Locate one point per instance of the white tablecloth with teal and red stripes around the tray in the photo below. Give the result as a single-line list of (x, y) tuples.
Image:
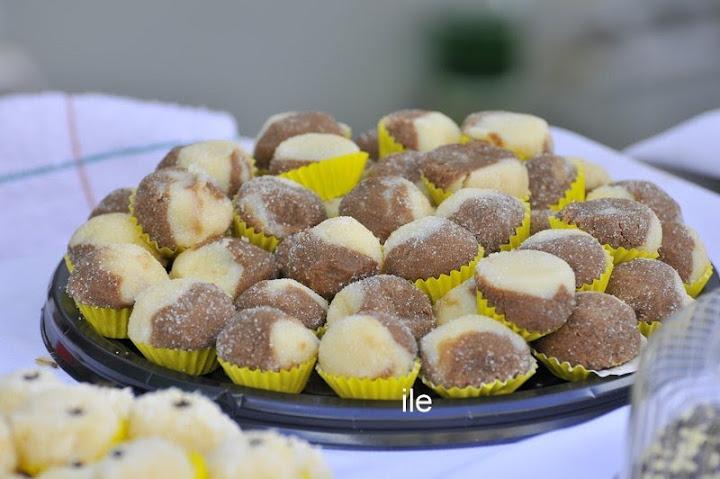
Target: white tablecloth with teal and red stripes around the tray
[(61, 153)]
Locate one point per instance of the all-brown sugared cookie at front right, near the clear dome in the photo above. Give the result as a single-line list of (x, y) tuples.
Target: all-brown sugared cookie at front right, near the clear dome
[(601, 333)]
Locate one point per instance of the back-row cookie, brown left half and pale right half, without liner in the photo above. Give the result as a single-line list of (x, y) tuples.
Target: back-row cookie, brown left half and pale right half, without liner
[(421, 130)]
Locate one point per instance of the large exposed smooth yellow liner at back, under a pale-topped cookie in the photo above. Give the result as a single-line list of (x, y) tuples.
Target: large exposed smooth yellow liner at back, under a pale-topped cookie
[(330, 178)]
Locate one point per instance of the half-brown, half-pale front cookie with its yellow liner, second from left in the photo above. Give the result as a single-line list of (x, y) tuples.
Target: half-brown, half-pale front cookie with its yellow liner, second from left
[(265, 348)]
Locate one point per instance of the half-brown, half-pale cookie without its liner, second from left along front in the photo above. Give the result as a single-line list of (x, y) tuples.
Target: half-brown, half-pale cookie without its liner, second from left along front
[(266, 338)]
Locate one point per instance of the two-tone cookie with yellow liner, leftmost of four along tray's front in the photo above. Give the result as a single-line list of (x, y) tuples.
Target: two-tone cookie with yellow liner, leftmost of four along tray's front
[(175, 323)]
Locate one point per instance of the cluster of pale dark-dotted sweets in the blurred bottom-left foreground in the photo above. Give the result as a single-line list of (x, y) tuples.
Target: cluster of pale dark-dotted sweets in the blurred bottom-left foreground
[(90, 432)]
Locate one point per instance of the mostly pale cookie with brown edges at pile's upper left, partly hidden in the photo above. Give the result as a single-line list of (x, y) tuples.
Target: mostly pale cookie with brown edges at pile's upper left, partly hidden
[(223, 161)]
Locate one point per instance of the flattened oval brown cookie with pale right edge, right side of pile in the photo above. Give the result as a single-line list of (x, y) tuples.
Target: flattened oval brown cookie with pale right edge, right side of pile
[(617, 222)]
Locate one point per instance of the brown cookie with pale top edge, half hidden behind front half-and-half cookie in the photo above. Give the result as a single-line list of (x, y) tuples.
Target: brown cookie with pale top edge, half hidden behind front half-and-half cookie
[(289, 296)]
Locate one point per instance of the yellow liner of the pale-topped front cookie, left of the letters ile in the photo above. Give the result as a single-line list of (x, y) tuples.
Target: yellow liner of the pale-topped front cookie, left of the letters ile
[(364, 388)]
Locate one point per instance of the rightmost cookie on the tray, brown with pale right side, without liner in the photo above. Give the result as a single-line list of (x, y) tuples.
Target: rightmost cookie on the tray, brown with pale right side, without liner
[(683, 249)]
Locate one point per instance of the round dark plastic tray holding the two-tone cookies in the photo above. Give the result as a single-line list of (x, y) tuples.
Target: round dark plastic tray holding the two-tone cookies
[(544, 403)]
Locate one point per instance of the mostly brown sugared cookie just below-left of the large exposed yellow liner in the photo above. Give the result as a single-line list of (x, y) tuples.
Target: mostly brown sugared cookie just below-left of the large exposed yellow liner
[(277, 206)]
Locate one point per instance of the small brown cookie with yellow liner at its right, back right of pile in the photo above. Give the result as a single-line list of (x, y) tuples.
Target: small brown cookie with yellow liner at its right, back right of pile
[(554, 182)]
